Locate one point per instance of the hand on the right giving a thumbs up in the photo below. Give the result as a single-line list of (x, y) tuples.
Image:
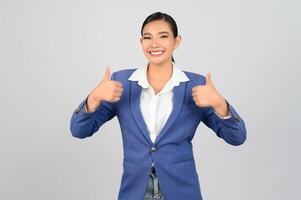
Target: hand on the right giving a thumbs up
[(206, 95)]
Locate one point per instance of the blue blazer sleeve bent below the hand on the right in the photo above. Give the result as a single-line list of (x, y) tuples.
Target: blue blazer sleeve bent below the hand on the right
[(232, 129)]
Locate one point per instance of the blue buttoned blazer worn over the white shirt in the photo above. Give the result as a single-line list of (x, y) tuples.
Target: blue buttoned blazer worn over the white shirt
[(172, 151)]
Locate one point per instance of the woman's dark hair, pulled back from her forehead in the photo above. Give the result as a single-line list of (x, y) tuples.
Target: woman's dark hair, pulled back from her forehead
[(165, 17)]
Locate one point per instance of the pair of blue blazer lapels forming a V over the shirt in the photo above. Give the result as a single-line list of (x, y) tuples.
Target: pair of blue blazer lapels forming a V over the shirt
[(135, 93)]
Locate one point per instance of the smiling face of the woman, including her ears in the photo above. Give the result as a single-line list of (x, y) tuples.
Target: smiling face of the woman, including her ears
[(158, 42)]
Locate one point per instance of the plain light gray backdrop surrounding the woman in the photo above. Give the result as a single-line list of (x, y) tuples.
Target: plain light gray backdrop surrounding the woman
[(53, 53)]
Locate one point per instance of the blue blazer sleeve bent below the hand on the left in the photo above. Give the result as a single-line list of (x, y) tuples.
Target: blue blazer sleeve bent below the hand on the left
[(84, 124)]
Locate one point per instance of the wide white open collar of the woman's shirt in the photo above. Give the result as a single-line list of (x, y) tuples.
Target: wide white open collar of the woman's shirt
[(140, 75)]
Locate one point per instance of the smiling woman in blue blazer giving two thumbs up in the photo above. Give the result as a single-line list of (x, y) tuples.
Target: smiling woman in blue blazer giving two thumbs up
[(158, 107)]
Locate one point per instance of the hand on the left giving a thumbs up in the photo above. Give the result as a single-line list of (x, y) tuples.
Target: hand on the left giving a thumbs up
[(106, 90)]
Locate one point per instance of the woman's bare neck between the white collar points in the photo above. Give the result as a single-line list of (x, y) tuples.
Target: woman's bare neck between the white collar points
[(162, 71)]
